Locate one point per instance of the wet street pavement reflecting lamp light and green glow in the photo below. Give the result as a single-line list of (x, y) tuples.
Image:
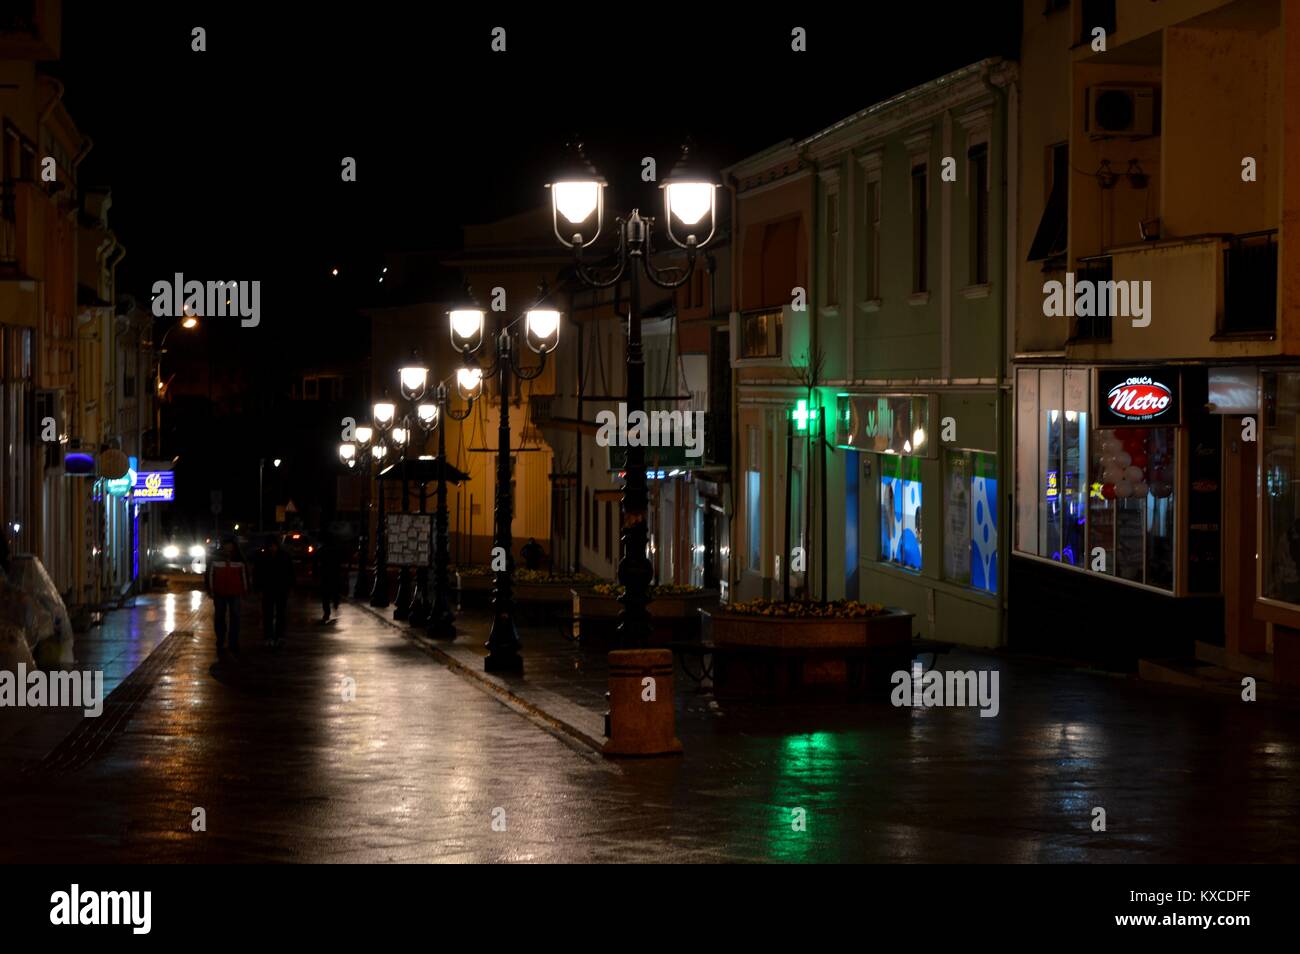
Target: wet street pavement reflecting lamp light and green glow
[(424, 765)]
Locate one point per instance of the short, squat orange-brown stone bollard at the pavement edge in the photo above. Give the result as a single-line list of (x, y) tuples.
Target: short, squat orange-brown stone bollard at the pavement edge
[(642, 715)]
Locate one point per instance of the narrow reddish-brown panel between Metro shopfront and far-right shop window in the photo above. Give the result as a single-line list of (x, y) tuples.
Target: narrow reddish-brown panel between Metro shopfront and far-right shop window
[(1241, 496)]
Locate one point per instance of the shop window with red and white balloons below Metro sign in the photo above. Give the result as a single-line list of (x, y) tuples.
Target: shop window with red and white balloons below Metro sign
[(1132, 508)]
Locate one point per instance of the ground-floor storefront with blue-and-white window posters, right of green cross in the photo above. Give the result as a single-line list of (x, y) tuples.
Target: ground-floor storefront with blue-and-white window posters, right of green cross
[(922, 510)]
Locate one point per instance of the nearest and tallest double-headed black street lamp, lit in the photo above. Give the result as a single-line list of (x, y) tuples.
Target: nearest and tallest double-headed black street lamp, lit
[(691, 219)]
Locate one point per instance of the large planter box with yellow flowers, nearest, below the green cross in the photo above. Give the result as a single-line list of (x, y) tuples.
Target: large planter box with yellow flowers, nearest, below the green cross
[(772, 657)]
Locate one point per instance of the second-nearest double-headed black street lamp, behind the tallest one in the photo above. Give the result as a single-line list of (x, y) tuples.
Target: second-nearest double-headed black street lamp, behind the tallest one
[(541, 332)]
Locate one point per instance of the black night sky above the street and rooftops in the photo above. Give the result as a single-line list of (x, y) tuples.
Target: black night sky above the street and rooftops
[(227, 163)]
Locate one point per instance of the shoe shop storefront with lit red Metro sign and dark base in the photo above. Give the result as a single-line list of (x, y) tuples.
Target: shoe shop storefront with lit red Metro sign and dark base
[(1120, 501)]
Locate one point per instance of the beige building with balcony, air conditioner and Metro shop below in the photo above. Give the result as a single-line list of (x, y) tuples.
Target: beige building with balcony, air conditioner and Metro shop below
[(1158, 335)]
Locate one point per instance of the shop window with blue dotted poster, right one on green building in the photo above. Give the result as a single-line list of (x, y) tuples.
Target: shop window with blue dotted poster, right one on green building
[(970, 519)]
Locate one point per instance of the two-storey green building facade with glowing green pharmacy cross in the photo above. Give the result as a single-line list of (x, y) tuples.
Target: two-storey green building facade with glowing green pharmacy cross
[(870, 358)]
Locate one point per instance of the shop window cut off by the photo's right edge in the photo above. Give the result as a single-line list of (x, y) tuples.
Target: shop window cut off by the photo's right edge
[(1281, 544)]
